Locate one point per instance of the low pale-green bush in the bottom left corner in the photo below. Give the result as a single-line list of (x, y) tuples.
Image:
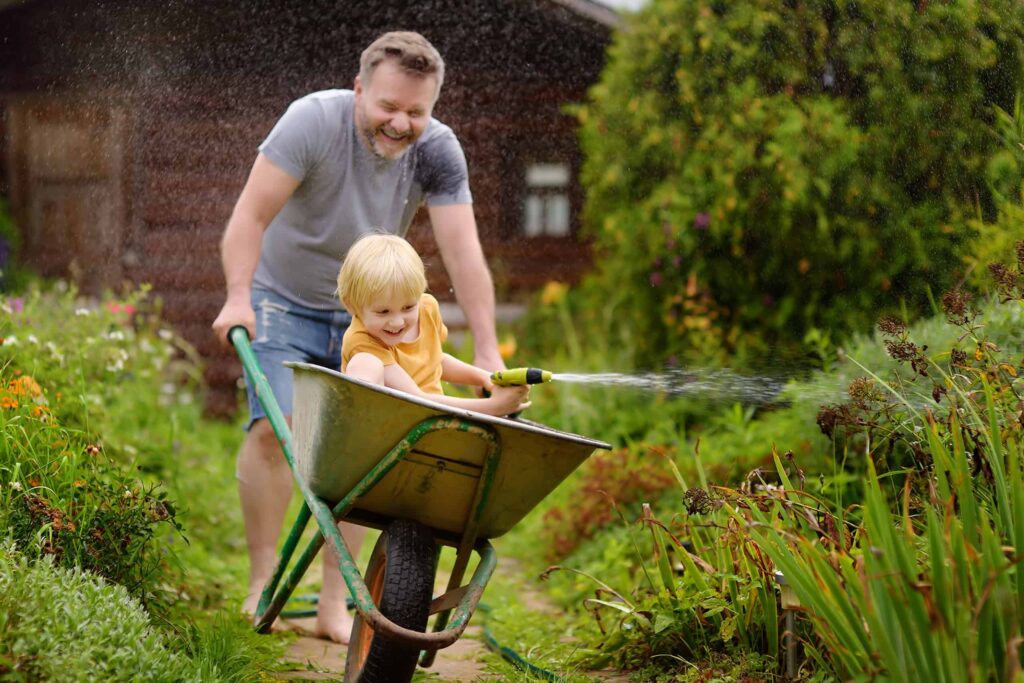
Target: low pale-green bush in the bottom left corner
[(67, 625)]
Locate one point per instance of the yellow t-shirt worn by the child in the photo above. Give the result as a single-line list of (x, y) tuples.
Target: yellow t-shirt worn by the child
[(420, 358)]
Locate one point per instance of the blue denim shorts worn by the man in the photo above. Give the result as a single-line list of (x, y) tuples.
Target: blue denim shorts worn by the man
[(287, 331)]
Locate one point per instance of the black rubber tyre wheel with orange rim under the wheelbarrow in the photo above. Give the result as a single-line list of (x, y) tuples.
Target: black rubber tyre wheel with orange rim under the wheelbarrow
[(401, 581)]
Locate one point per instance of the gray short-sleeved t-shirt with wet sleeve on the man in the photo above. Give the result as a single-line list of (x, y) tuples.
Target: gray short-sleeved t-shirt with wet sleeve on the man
[(346, 192)]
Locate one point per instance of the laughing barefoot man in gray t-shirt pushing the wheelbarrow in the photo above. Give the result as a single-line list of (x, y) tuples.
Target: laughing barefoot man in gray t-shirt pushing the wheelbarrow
[(337, 165)]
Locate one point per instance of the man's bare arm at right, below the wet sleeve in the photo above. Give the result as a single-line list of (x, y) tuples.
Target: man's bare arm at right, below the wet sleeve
[(455, 231)]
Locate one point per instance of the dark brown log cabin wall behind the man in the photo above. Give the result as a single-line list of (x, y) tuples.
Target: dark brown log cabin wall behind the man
[(130, 129)]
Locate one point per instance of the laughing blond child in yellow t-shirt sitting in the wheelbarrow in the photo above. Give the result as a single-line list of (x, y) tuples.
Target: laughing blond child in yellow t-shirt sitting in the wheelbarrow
[(397, 332)]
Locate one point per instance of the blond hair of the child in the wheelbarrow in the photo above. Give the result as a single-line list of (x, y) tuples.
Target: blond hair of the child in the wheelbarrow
[(380, 266)]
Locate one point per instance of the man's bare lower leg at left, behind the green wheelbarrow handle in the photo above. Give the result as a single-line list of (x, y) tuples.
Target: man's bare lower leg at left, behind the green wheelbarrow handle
[(266, 488)]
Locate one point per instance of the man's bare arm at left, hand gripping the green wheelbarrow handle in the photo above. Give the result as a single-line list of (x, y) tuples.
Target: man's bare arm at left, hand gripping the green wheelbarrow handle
[(267, 191)]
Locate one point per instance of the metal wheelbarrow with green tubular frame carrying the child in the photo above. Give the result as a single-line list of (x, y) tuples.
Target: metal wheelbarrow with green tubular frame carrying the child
[(428, 476)]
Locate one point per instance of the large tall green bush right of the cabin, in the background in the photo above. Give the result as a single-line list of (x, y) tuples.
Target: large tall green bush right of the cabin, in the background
[(765, 168)]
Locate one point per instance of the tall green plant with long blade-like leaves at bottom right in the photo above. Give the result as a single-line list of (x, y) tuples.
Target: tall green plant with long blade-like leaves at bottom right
[(931, 589)]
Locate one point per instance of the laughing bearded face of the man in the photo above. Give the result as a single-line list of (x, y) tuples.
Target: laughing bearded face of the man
[(394, 109)]
